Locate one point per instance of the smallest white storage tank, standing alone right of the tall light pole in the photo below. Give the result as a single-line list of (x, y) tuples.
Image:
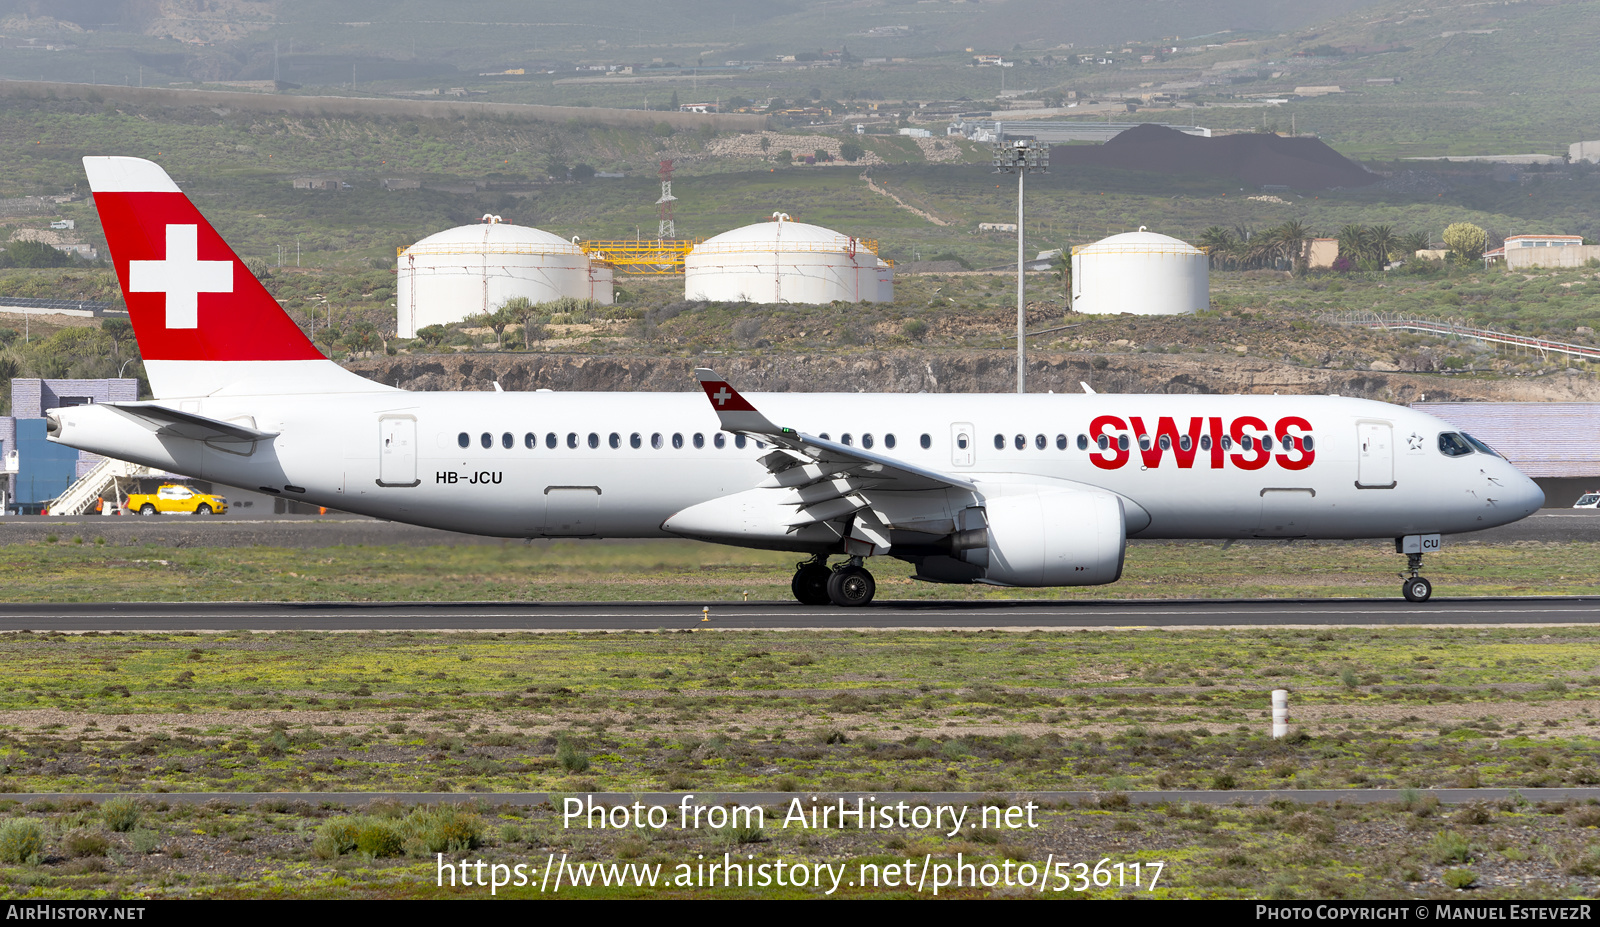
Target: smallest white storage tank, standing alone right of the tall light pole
[(1140, 273)]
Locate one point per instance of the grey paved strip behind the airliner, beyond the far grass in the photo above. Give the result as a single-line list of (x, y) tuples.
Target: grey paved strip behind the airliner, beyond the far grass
[(334, 531)]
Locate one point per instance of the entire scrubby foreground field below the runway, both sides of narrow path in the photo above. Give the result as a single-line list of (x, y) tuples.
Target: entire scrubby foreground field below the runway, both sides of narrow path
[(801, 713)]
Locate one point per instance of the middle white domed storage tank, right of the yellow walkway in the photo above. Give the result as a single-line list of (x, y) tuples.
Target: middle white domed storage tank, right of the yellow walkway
[(783, 262)]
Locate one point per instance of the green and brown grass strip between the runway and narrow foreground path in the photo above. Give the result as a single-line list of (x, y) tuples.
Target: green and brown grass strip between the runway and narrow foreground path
[(794, 712)]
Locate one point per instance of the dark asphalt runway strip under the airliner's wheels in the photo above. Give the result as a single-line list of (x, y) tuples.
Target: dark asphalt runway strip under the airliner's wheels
[(775, 616)]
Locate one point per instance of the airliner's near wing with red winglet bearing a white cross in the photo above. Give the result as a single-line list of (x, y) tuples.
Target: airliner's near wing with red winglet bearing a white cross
[(802, 460)]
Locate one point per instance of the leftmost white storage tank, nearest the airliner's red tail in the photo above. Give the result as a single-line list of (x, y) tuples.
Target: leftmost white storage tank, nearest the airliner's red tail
[(473, 270)]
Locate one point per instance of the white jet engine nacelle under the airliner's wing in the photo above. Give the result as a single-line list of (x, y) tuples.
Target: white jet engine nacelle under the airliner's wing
[(1047, 539)]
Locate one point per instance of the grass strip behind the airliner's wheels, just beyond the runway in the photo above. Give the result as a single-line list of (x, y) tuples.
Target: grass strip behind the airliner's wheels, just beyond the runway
[(84, 569)]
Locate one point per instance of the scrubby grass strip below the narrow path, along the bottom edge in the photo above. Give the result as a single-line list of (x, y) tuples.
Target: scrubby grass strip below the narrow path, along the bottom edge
[(1284, 851)]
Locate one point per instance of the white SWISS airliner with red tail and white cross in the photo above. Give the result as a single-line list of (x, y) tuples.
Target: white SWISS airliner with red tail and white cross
[(1014, 491)]
